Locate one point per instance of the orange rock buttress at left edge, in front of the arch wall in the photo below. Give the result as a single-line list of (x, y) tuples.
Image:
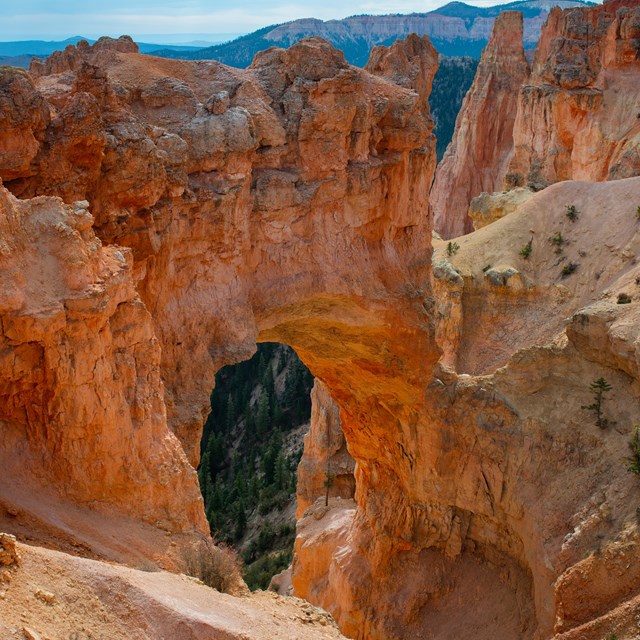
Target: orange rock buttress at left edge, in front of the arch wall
[(80, 389)]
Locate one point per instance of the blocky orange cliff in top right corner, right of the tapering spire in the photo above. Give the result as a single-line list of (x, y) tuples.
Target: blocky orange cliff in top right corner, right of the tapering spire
[(578, 113)]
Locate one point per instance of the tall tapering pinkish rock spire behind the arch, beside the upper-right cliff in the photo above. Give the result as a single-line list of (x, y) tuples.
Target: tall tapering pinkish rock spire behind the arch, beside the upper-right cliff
[(476, 159)]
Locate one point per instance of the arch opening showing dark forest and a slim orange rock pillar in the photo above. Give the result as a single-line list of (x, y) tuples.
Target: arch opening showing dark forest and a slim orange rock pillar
[(253, 479)]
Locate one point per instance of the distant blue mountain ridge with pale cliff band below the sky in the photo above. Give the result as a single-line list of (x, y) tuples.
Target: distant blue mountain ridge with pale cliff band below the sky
[(456, 29)]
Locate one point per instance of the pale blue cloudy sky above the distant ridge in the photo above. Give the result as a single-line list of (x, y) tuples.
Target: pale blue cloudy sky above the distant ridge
[(25, 19)]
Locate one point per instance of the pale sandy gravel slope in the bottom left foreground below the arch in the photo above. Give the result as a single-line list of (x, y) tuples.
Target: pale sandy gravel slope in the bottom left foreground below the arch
[(90, 599)]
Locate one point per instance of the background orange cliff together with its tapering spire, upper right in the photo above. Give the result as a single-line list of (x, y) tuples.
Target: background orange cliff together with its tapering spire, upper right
[(575, 116)]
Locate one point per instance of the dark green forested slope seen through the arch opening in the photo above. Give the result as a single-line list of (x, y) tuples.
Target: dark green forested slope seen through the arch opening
[(251, 447)]
